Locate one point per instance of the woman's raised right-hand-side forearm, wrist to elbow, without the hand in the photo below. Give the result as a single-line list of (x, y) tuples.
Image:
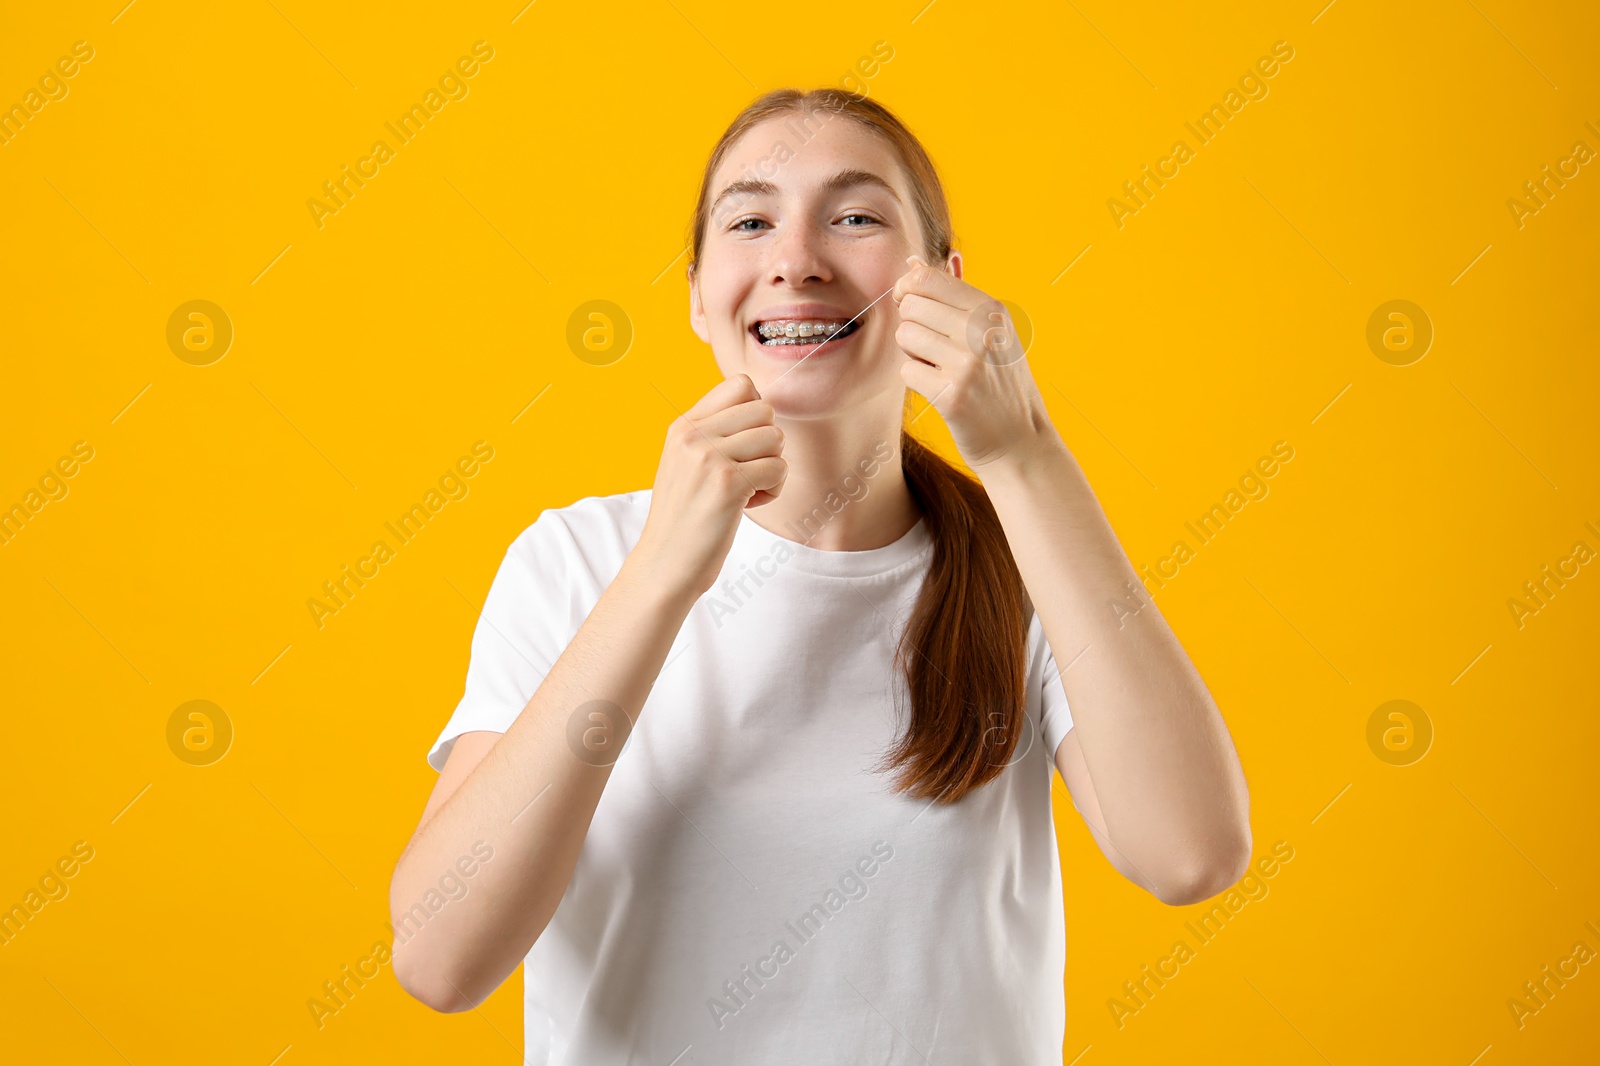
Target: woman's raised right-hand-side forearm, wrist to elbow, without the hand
[(1164, 766)]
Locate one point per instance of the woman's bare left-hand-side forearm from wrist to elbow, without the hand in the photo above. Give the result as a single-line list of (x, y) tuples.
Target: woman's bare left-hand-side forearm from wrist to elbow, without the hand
[(532, 799)]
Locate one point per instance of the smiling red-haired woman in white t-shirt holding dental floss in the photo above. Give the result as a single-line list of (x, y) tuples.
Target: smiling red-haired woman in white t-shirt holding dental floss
[(754, 766)]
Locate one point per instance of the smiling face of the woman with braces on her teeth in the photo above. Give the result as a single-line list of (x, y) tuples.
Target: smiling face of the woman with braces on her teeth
[(807, 233)]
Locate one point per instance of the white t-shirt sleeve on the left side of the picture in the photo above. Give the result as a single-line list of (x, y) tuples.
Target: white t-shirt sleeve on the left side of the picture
[(521, 633)]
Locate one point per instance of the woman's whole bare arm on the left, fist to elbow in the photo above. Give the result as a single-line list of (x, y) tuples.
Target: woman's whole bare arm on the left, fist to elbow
[(719, 459)]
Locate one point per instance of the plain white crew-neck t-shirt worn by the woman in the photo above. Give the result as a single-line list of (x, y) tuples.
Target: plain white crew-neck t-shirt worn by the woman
[(750, 892)]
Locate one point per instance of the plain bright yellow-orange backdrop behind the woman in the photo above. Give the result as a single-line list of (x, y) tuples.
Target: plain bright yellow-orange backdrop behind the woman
[(370, 353)]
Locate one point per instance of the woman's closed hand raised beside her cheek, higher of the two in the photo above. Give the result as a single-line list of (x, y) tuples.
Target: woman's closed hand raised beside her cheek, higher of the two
[(964, 356)]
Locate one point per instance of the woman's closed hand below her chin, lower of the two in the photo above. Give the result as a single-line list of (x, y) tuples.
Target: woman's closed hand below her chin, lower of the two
[(721, 457)]
